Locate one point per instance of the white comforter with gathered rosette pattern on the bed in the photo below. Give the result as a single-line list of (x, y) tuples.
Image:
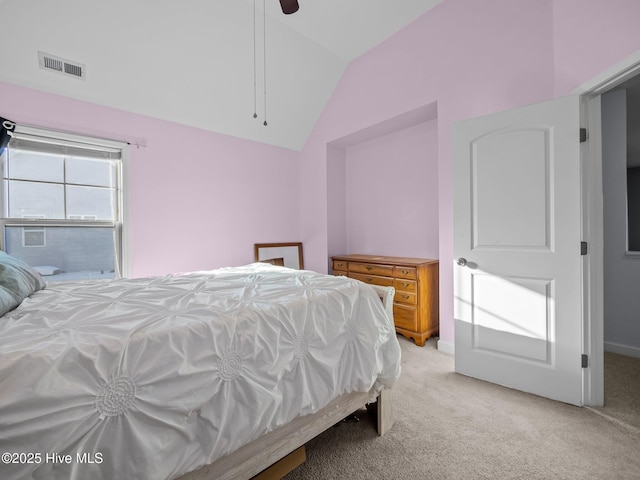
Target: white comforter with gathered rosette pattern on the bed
[(151, 378)]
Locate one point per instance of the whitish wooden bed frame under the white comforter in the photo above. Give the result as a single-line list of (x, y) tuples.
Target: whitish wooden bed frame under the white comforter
[(263, 452)]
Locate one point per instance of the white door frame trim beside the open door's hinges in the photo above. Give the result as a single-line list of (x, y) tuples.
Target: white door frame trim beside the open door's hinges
[(592, 222)]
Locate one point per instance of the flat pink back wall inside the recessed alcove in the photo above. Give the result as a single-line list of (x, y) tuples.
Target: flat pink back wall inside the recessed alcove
[(389, 211)]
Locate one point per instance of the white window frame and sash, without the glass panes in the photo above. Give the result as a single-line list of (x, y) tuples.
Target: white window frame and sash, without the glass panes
[(120, 222)]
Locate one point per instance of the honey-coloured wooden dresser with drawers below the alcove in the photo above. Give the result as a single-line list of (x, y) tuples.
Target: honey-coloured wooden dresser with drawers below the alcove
[(415, 306)]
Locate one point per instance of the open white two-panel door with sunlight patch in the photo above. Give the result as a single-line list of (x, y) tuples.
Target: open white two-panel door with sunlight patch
[(517, 211)]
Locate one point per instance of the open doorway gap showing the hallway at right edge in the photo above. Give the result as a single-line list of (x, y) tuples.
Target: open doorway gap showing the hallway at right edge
[(621, 184)]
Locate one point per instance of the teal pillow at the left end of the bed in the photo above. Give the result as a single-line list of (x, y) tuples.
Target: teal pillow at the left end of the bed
[(17, 281)]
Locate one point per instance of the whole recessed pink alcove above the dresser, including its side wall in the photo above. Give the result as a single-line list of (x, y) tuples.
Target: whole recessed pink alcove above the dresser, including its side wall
[(382, 186)]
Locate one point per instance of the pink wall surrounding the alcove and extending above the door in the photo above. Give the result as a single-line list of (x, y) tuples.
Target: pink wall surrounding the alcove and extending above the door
[(470, 58)]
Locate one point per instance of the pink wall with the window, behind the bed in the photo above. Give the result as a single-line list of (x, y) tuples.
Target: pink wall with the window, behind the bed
[(198, 200)]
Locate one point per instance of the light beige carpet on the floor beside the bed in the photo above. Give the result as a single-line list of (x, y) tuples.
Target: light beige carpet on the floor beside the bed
[(448, 426)]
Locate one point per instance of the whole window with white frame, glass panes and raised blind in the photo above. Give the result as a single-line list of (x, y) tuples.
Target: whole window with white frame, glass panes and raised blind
[(62, 204)]
